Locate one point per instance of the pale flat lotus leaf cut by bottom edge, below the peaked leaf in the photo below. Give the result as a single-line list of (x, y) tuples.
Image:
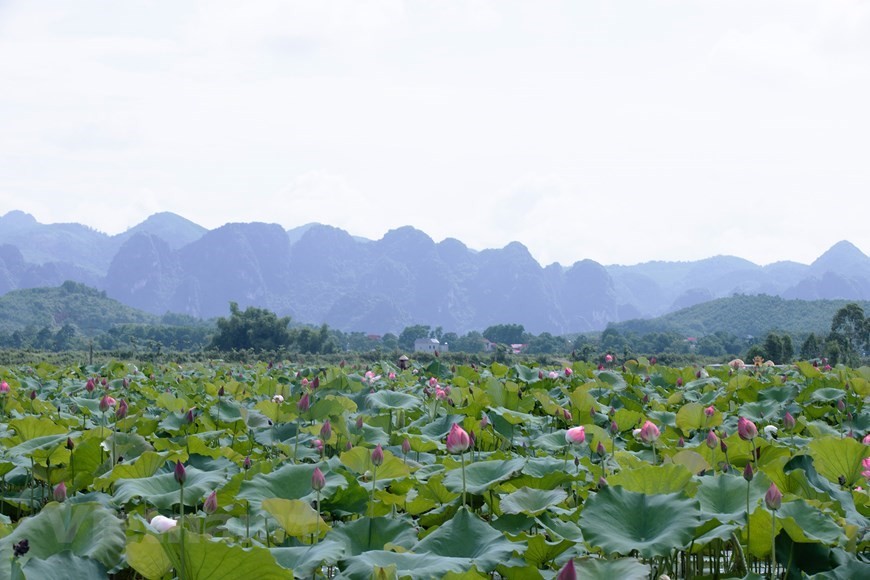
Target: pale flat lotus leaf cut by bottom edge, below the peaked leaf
[(402, 565)]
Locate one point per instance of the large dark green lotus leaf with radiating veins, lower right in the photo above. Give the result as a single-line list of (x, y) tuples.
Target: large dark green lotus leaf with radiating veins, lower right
[(619, 521)]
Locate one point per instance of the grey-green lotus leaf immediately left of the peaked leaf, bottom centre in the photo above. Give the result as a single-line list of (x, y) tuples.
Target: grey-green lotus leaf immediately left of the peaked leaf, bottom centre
[(365, 534)]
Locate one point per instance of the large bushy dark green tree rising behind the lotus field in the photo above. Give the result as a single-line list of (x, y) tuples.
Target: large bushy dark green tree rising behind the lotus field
[(254, 328)]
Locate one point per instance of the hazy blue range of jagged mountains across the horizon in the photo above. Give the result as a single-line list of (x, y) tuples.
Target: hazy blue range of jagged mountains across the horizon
[(318, 273)]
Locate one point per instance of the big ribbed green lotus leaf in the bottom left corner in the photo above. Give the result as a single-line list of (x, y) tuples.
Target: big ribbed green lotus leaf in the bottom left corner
[(87, 530)]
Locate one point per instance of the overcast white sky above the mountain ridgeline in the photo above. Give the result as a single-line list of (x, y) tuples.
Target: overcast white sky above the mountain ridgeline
[(617, 131)]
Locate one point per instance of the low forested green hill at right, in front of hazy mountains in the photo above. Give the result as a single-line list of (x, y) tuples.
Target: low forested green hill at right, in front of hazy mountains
[(743, 316)]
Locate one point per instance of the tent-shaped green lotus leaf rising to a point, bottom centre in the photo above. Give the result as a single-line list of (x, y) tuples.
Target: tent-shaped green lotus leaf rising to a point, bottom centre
[(467, 536)]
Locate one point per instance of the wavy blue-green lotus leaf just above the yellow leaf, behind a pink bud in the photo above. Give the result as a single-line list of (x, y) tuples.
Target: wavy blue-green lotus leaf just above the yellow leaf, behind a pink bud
[(291, 481)]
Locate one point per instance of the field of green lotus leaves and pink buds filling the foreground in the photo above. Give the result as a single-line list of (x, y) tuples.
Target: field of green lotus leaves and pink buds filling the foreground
[(221, 471)]
